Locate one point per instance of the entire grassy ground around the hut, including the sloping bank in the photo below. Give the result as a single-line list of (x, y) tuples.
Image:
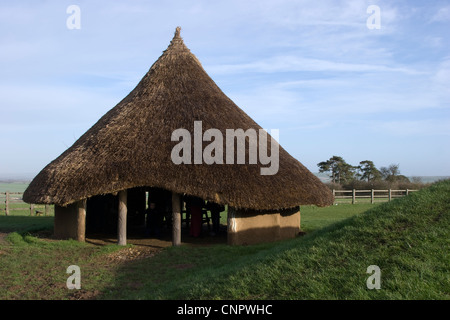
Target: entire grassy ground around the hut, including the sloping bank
[(407, 238)]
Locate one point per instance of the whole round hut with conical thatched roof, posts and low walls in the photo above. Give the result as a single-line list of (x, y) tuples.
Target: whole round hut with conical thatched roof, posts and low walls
[(129, 149)]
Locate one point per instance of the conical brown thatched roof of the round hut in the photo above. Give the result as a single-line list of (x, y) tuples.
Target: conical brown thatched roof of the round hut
[(131, 146)]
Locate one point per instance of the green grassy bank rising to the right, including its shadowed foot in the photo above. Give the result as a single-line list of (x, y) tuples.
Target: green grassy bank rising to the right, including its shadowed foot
[(408, 239)]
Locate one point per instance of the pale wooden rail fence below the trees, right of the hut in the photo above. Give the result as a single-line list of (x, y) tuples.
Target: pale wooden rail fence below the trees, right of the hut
[(374, 195)]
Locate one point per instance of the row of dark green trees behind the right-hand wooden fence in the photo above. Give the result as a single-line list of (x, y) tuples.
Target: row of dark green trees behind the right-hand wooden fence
[(365, 175)]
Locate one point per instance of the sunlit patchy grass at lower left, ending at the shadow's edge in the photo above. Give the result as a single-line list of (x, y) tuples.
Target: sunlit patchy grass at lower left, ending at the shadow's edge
[(34, 269)]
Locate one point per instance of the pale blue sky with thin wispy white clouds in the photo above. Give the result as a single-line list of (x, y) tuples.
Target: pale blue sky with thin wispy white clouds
[(312, 69)]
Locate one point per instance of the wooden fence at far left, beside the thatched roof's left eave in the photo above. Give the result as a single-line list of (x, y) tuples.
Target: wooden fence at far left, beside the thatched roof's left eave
[(13, 202)]
